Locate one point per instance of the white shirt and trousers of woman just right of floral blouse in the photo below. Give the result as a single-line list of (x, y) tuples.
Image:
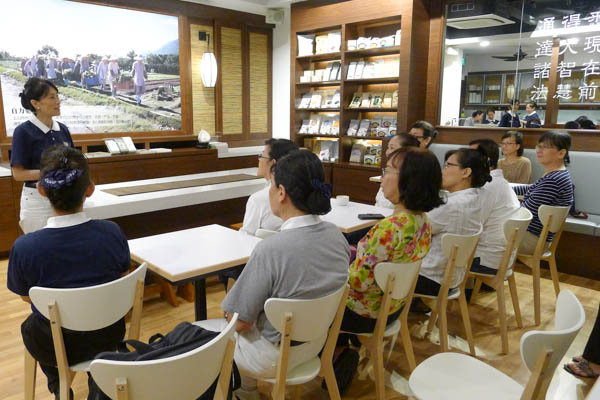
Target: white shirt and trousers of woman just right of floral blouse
[(460, 215)]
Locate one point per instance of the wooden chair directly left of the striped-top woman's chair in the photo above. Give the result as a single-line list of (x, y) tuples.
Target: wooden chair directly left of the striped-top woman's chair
[(514, 231)]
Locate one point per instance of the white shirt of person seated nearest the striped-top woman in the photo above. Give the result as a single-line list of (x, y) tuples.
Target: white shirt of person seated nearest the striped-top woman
[(498, 204)]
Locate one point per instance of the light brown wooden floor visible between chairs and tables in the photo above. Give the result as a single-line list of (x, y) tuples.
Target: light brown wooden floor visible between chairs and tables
[(158, 316)]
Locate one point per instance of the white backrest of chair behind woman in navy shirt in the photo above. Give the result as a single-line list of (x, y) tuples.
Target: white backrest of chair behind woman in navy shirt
[(93, 307)]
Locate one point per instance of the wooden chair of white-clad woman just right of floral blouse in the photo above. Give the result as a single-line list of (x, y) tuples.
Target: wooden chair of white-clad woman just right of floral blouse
[(460, 250)]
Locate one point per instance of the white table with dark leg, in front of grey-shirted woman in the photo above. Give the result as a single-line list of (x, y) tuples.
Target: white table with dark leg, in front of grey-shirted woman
[(192, 255)]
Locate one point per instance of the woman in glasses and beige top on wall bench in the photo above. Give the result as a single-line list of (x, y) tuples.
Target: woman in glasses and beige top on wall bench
[(516, 168)]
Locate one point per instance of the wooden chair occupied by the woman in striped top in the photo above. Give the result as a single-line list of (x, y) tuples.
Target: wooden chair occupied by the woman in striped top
[(553, 220)]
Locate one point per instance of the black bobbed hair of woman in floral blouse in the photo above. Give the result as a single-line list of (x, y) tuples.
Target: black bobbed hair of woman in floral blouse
[(419, 179)]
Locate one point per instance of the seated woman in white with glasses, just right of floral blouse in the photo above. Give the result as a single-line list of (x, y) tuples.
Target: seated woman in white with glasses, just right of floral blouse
[(465, 171)]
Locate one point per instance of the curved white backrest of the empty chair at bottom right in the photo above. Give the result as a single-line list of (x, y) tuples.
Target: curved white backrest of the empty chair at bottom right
[(569, 318)]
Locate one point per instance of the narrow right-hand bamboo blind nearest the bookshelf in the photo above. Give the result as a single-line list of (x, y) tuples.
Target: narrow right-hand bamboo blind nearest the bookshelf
[(259, 82)]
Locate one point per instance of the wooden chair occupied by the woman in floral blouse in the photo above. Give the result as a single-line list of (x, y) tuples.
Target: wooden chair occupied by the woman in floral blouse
[(398, 281)]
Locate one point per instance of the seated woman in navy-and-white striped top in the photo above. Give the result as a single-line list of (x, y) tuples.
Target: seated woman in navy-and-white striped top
[(554, 188)]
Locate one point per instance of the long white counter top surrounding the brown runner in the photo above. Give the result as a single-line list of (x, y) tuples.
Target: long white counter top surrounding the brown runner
[(104, 206)]
